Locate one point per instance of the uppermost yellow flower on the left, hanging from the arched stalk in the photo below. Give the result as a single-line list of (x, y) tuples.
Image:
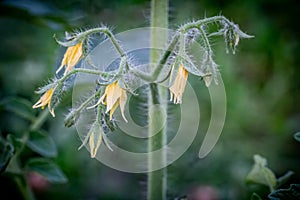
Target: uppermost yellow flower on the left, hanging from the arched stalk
[(71, 58)]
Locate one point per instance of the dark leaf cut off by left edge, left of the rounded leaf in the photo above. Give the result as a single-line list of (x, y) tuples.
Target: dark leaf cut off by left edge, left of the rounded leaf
[(6, 153)]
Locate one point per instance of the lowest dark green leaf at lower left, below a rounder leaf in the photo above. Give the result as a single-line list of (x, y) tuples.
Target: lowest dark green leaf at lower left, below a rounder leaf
[(46, 168)]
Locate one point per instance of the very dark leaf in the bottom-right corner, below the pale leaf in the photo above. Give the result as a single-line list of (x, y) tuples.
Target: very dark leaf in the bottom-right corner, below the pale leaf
[(292, 193)]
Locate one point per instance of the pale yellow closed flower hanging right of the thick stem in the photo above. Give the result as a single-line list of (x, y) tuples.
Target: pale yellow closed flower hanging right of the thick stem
[(177, 89)]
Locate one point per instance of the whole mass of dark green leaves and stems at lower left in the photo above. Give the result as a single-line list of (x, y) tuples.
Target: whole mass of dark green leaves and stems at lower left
[(13, 158)]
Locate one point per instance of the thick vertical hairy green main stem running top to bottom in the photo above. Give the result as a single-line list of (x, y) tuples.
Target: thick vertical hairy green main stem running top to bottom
[(157, 180)]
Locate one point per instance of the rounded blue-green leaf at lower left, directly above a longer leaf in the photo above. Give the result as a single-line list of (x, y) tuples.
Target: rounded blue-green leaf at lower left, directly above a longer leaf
[(41, 143)]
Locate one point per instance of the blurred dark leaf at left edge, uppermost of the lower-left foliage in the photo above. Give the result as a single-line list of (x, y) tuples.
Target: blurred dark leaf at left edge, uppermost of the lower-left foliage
[(21, 107)]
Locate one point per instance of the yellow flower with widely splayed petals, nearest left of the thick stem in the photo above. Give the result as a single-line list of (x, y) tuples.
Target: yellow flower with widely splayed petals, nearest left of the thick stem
[(113, 97)]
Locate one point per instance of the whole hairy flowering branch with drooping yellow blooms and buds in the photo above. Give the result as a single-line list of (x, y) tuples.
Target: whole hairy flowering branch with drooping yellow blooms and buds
[(114, 85)]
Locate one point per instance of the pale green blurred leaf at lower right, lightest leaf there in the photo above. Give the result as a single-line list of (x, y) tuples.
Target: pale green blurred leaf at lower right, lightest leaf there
[(261, 174)]
